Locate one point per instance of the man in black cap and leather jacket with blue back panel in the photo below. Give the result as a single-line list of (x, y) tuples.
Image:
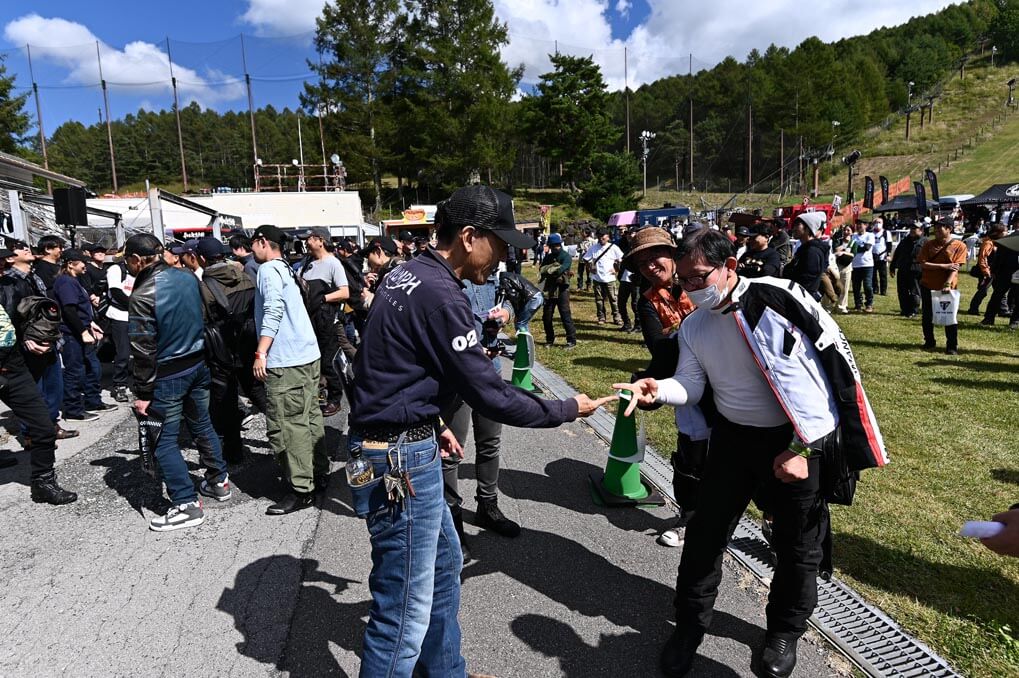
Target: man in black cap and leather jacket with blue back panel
[(172, 378)]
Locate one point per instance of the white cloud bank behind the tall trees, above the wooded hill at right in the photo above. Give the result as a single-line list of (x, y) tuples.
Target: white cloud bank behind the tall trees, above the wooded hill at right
[(661, 46)]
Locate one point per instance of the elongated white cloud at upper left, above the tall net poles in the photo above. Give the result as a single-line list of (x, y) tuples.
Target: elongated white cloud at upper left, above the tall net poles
[(143, 67)]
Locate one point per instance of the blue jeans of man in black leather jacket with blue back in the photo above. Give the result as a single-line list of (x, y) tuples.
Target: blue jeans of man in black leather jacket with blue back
[(187, 394)]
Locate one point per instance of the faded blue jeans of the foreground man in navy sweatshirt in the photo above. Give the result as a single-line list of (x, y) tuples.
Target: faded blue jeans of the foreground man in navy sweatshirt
[(416, 564)]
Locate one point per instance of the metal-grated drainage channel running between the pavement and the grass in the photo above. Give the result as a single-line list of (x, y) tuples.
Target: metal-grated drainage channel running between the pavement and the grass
[(864, 634)]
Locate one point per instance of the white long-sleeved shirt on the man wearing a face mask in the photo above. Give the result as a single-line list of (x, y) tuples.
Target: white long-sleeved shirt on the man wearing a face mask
[(713, 349)]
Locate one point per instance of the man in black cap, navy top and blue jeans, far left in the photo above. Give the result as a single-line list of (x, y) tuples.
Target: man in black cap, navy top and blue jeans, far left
[(82, 401)]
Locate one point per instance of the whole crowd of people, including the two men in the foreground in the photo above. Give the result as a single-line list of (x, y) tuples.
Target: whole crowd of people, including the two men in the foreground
[(408, 333)]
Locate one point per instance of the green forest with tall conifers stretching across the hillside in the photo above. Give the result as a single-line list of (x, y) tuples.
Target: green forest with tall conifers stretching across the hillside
[(416, 90)]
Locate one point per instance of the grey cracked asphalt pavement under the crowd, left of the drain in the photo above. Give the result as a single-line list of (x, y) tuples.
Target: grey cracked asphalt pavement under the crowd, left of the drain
[(583, 592)]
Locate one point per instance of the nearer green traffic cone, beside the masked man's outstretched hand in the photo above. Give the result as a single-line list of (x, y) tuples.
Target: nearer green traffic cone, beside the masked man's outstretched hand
[(622, 485)]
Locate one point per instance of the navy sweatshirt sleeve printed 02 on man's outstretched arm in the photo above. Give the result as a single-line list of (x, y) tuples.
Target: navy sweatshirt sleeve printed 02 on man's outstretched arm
[(455, 353)]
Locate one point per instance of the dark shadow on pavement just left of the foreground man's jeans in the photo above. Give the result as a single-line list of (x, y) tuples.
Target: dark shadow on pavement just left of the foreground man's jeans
[(295, 639)]
